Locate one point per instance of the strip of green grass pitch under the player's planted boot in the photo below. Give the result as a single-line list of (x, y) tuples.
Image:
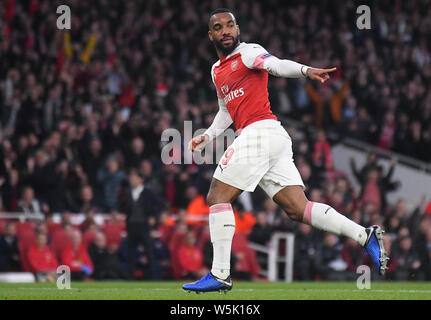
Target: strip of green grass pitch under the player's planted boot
[(241, 291)]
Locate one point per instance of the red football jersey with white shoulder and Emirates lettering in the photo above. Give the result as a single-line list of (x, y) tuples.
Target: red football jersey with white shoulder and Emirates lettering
[(242, 83)]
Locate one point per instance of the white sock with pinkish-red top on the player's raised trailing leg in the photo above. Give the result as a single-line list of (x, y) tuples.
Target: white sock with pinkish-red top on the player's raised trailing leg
[(326, 218)]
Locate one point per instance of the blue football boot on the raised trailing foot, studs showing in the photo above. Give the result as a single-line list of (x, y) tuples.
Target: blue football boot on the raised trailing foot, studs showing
[(374, 247)]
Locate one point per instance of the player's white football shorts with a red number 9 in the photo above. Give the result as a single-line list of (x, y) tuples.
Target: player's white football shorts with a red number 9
[(260, 155)]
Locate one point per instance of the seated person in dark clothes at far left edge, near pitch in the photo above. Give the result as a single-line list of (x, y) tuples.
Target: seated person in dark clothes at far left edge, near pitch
[(9, 254)]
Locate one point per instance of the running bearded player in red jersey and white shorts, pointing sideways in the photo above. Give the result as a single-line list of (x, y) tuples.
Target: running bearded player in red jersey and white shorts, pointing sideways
[(262, 153)]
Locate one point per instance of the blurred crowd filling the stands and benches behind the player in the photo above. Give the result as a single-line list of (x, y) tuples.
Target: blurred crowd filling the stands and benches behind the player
[(82, 112)]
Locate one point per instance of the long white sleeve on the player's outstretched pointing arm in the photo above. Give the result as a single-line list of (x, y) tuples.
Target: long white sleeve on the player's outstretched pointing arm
[(256, 57)]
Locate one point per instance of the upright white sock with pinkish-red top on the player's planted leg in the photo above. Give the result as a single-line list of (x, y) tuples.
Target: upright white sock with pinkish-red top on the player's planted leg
[(222, 229)]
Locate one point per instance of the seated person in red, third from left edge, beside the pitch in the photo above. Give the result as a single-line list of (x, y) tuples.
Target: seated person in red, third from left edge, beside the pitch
[(76, 257)]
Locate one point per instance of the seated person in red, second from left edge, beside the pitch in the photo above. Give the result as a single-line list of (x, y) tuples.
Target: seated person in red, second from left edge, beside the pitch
[(42, 260)]
